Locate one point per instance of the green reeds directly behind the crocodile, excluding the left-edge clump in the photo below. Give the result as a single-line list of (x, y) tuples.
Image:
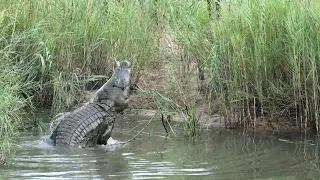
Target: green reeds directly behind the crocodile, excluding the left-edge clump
[(68, 39)]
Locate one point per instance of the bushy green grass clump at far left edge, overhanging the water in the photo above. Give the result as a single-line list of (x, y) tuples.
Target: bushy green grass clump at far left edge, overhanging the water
[(11, 88)]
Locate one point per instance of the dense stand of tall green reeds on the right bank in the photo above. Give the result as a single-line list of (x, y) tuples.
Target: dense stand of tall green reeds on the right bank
[(265, 56)]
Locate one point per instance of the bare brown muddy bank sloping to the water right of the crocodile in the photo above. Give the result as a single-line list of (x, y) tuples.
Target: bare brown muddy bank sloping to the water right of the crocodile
[(206, 112)]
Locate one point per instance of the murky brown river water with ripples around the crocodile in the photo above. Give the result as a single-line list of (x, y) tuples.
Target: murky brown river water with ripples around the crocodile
[(214, 155)]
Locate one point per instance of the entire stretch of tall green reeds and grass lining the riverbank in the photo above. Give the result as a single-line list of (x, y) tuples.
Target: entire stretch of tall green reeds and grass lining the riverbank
[(255, 59)]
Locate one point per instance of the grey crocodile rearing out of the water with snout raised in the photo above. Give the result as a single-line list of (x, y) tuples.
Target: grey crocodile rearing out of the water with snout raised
[(92, 123)]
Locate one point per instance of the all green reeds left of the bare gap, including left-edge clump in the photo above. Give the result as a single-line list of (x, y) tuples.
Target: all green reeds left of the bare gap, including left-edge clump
[(52, 49)]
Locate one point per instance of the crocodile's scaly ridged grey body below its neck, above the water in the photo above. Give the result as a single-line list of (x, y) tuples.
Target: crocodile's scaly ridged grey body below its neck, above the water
[(82, 127)]
